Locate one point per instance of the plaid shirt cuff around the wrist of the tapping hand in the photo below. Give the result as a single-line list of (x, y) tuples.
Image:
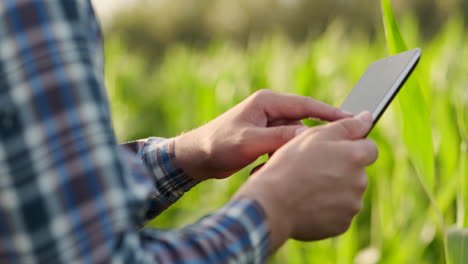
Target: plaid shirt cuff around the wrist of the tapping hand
[(171, 180)]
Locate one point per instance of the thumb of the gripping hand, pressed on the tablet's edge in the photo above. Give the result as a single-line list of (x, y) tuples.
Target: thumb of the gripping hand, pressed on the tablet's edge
[(351, 128)]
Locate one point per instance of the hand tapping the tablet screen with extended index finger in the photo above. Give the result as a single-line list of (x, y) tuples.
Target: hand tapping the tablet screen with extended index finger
[(261, 124)]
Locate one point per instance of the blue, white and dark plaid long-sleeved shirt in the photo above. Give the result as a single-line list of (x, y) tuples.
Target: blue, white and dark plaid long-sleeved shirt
[(68, 192)]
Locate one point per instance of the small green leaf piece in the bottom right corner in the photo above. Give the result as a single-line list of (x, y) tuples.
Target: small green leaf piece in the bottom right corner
[(457, 242)]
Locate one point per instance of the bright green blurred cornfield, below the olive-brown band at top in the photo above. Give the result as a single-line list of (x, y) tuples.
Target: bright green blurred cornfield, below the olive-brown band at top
[(422, 137)]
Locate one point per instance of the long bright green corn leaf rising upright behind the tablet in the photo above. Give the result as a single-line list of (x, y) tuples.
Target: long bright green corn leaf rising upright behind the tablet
[(417, 132)]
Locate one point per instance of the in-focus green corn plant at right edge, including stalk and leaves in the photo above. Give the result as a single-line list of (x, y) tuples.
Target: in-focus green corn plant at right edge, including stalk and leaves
[(418, 138)]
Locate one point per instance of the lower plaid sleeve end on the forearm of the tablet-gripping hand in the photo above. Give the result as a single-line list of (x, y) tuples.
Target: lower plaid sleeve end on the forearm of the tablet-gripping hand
[(236, 233)]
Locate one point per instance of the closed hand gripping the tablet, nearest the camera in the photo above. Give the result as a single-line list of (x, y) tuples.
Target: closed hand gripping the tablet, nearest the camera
[(312, 187)]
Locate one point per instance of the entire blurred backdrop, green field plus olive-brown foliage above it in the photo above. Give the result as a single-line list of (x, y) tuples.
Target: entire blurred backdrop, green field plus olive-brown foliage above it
[(173, 65)]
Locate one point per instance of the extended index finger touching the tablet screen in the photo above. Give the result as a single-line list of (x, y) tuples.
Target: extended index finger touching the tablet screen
[(295, 107)]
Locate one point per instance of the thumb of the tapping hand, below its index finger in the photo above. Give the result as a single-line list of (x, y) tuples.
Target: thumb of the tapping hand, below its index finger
[(269, 139)]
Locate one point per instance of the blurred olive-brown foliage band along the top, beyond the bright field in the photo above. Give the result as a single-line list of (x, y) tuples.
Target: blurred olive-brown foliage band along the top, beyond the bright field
[(151, 26)]
